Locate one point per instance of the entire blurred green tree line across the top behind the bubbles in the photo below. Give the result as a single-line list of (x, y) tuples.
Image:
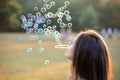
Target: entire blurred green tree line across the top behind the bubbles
[(94, 14)]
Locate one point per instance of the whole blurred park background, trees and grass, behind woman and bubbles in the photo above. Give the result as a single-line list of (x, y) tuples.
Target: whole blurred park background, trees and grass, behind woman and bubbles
[(21, 58)]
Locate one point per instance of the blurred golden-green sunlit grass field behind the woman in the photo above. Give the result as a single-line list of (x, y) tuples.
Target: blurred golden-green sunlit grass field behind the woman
[(17, 64)]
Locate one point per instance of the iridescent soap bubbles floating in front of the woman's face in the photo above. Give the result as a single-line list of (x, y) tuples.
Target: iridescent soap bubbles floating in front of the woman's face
[(41, 22)]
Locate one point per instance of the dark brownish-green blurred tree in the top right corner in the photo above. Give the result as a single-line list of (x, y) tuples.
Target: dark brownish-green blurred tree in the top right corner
[(110, 14)]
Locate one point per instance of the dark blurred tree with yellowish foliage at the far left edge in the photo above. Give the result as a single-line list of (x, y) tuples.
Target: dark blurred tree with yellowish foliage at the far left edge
[(9, 10)]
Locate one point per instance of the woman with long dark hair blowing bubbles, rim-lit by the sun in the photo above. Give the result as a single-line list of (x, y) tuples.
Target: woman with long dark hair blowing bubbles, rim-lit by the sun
[(90, 57)]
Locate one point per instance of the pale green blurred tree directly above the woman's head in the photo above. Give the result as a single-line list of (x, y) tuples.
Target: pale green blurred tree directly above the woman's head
[(88, 18)]
